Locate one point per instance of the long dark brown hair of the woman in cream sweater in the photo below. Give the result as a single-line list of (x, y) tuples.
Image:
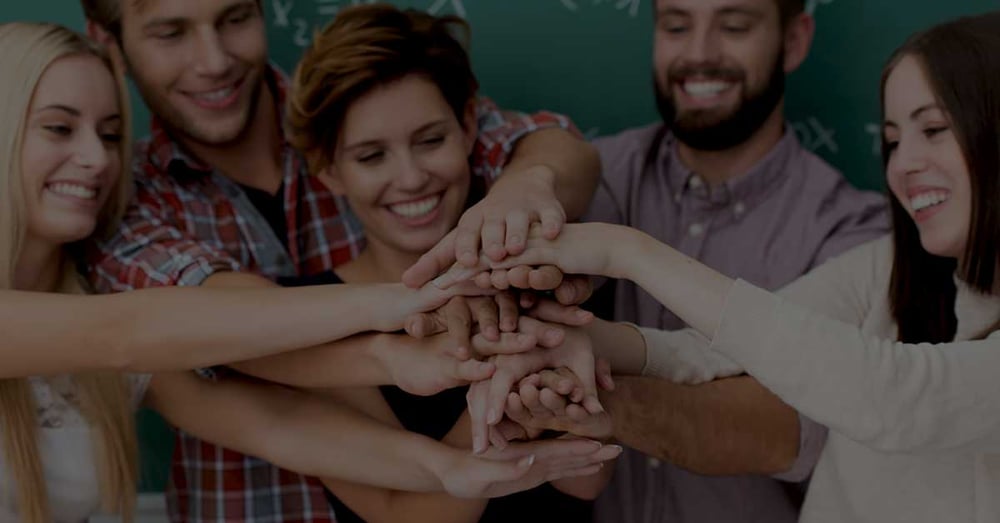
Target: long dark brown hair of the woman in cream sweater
[(961, 60)]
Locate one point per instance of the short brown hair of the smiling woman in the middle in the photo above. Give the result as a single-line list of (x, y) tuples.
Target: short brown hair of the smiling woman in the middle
[(364, 47)]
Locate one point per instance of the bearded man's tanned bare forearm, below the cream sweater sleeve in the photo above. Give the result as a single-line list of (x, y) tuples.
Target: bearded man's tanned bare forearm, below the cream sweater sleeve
[(725, 427)]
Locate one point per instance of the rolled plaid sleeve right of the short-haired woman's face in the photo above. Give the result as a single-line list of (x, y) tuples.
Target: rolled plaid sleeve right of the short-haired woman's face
[(499, 132)]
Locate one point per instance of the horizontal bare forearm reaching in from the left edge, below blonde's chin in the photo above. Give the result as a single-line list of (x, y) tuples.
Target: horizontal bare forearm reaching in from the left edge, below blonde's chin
[(171, 328)]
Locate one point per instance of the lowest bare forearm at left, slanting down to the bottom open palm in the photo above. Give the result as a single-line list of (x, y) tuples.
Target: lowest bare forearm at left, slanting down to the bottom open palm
[(299, 431)]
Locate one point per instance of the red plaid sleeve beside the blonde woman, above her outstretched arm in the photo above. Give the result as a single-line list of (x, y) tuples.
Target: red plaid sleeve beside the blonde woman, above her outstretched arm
[(150, 249)]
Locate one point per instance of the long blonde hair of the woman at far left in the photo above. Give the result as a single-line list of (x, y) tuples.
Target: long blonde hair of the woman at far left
[(27, 50)]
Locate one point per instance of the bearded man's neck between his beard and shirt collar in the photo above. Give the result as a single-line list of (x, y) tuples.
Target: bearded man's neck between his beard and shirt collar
[(718, 167)]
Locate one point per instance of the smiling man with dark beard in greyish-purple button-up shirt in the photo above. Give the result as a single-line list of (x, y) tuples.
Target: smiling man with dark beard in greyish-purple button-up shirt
[(723, 179)]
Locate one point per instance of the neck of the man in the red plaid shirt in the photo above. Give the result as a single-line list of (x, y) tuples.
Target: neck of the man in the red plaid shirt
[(254, 158)]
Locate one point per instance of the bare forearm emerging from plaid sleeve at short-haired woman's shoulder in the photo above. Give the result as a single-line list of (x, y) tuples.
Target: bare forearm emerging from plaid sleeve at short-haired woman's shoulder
[(574, 164)]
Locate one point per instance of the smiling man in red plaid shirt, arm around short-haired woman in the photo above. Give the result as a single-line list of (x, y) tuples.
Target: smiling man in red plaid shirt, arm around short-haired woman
[(222, 200)]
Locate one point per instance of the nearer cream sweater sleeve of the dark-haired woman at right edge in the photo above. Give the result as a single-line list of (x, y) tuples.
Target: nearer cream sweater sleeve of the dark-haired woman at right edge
[(890, 396)]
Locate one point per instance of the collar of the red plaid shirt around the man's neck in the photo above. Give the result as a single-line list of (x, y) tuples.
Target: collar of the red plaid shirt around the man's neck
[(167, 154)]
